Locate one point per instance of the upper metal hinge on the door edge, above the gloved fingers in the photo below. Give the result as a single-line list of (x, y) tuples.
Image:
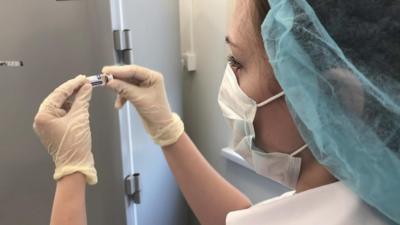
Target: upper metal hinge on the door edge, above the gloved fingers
[(123, 46)]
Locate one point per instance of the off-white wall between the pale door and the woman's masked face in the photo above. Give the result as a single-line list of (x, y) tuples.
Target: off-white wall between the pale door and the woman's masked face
[(202, 116)]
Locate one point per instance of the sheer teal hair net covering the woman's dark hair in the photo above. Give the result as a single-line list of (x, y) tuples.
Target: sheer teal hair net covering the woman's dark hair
[(348, 113)]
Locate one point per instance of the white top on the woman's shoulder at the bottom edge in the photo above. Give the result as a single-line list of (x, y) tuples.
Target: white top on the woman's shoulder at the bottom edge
[(332, 204)]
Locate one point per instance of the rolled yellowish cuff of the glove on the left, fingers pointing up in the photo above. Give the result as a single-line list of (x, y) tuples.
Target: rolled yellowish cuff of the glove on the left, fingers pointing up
[(90, 173)]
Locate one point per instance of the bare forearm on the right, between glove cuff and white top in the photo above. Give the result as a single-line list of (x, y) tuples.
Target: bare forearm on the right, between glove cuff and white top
[(209, 195)]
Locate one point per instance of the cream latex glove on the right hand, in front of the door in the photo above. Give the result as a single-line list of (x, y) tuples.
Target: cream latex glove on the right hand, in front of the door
[(144, 88)]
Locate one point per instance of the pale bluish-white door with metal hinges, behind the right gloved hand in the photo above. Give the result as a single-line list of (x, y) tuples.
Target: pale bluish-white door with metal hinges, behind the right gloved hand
[(155, 39)]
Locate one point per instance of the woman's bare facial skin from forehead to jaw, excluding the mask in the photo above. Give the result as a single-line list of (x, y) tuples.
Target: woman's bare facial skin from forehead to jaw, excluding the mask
[(274, 127)]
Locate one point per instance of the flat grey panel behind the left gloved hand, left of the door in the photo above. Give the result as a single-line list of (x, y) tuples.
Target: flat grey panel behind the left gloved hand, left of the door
[(56, 41)]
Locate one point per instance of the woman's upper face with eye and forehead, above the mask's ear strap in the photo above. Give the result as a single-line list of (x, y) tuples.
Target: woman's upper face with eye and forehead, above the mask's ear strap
[(248, 58)]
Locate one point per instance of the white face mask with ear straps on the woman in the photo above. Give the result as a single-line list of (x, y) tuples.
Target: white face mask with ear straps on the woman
[(240, 111)]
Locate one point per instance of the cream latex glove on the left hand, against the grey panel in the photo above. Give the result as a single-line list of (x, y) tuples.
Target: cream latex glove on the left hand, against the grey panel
[(63, 128)]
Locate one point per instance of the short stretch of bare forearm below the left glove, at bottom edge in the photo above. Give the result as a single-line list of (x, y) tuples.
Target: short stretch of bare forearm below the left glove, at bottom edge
[(69, 206)]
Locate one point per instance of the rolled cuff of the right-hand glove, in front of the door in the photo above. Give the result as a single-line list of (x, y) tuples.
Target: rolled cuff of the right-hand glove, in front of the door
[(170, 133)]
